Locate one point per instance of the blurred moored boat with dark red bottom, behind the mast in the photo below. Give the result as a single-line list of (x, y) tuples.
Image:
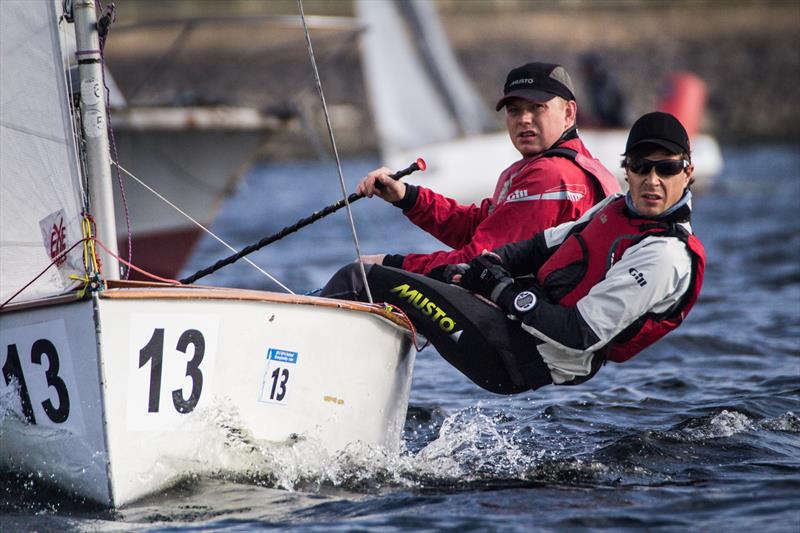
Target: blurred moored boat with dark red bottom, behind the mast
[(192, 147)]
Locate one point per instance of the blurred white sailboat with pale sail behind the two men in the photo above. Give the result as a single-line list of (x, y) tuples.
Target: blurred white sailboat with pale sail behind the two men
[(424, 105)]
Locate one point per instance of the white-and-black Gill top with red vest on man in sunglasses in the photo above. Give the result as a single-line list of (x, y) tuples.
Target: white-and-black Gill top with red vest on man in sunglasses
[(610, 284)]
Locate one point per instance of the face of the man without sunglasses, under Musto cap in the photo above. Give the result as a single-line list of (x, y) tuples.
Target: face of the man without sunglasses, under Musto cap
[(535, 126)]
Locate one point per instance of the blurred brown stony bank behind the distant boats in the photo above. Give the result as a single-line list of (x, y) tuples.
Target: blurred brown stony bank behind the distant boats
[(243, 52)]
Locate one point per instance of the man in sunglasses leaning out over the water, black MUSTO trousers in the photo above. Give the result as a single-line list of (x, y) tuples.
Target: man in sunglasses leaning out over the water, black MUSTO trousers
[(555, 308)]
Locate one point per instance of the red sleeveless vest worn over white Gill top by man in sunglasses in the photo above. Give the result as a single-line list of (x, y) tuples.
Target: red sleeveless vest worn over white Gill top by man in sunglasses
[(584, 258)]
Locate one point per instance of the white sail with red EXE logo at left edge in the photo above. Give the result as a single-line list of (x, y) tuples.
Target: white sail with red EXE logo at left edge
[(39, 185)]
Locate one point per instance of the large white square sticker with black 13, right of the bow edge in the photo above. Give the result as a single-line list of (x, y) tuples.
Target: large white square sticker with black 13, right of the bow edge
[(170, 363)]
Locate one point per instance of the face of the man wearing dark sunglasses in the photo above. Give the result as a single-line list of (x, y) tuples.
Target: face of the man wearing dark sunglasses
[(653, 193)]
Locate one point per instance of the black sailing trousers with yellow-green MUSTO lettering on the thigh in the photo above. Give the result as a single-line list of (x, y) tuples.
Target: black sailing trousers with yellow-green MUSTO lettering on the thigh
[(475, 337)]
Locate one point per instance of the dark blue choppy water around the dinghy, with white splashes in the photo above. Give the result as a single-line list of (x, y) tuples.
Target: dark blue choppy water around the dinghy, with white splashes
[(699, 432)]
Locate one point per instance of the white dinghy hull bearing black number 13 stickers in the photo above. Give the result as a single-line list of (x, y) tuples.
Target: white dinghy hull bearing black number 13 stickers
[(148, 397)]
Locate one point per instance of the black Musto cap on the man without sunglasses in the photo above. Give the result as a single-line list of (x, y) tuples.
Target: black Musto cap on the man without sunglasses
[(537, 82)]
